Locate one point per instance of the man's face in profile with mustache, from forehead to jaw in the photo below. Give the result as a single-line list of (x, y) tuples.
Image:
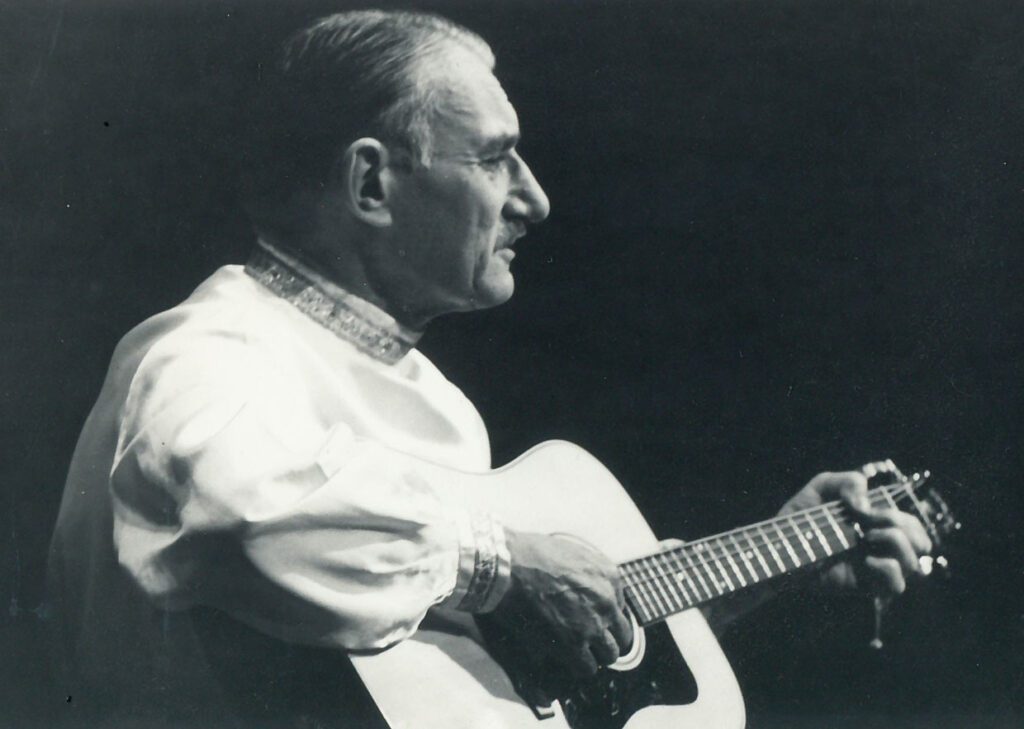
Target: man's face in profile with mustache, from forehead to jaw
[(456, 220)]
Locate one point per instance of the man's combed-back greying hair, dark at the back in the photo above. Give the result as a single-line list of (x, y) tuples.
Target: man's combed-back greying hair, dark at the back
[(348, 76)]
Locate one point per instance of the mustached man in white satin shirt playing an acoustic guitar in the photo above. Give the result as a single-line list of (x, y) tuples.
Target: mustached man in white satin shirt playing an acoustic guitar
[(247, 500)]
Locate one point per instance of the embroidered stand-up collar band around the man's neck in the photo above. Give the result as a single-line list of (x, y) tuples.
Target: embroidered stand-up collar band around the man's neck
[(370, 329)]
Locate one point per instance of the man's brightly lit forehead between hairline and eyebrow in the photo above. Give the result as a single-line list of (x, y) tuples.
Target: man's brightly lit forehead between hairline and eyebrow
[(472, 109)]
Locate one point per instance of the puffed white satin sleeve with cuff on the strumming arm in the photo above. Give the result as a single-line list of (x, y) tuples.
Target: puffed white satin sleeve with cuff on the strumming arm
[(229, 493)]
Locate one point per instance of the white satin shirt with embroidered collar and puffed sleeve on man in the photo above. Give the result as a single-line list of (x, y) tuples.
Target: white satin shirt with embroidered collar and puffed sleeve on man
[(254, 450)]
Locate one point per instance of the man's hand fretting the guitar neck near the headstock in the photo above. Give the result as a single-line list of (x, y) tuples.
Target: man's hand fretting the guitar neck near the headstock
[(894, 540)]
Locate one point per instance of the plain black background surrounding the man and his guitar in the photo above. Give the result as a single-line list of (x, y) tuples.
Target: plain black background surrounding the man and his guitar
[(786, 238)]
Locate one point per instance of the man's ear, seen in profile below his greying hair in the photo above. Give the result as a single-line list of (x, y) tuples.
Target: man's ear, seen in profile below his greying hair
[(365, 180)]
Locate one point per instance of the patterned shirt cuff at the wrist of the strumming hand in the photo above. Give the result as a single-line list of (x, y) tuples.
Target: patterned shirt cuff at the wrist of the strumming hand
[(485, 566)]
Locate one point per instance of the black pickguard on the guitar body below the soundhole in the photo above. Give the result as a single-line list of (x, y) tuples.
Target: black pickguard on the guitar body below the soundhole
[(612, 698)]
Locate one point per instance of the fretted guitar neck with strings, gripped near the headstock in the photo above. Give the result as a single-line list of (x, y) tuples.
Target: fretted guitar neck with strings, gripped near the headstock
[(666, 583)]
